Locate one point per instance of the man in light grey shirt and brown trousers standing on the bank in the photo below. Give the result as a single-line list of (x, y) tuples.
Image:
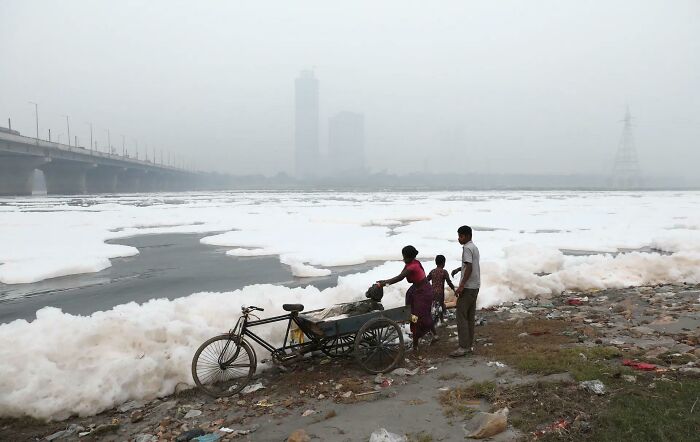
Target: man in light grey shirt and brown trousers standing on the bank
[(467, 291)]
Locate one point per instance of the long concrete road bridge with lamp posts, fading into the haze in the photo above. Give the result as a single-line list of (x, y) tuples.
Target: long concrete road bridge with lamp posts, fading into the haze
[(75, 170)]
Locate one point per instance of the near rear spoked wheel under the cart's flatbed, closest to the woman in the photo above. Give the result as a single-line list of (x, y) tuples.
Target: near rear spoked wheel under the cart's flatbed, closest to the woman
[(379, 345)]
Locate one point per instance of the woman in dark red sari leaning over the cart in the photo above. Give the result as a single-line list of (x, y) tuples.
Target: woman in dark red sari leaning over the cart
[(419, 296)]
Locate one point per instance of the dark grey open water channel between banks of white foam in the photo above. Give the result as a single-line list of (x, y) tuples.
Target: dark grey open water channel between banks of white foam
[(167, 266)]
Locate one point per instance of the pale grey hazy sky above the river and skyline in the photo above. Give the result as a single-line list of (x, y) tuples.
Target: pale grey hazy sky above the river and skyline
[(495, 86)]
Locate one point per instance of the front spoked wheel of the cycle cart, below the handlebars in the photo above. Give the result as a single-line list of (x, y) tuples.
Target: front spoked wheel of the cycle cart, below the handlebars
[(223, 365)]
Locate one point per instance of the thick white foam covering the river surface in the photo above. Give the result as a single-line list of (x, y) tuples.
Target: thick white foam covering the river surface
[(60, 364)]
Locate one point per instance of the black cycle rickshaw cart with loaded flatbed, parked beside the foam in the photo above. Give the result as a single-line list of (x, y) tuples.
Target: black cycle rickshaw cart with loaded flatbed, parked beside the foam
[(225, 364)]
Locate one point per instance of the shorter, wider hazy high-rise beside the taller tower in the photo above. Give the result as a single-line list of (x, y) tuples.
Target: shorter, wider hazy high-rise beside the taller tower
[(346, 144)]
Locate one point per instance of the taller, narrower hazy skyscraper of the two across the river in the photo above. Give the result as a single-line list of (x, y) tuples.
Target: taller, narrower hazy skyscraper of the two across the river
[(306, 125)]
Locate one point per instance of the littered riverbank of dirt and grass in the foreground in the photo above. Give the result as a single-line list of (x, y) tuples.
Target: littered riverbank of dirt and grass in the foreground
[(530, 356)]
